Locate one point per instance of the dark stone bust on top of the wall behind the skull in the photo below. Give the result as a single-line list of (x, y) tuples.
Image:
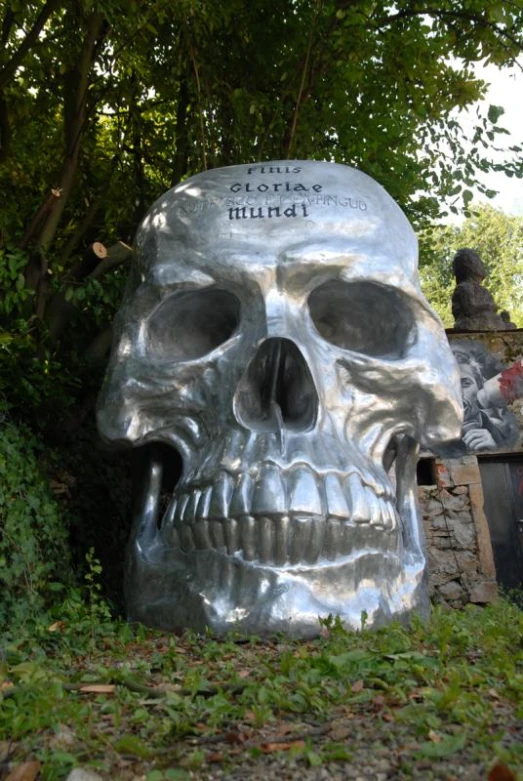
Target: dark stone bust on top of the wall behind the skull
[(473, 306)]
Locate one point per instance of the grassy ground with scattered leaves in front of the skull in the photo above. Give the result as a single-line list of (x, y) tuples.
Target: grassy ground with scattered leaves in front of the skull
[(435, 700)]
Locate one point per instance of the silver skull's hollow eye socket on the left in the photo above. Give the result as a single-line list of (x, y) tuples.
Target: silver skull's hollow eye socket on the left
[(190, 324)]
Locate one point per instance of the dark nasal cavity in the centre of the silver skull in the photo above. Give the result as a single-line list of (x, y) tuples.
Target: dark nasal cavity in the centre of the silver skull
[(277, 390)]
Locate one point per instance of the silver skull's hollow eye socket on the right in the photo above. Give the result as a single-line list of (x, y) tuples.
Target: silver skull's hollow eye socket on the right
[(363, 317)]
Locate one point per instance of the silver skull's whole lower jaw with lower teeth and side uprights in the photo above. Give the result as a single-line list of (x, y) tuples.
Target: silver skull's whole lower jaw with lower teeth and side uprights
[(279, 572)]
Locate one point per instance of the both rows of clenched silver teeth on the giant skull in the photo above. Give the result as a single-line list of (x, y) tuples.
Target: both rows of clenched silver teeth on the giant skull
[(284, 520)]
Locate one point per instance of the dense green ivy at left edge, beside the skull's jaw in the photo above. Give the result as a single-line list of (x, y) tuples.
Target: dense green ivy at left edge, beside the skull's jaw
[(34, 554)]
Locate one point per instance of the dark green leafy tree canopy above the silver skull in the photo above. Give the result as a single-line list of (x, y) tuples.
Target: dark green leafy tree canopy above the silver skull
[(110, 103)]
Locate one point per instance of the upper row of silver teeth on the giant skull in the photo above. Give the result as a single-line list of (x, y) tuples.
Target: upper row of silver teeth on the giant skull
[(272, 493)]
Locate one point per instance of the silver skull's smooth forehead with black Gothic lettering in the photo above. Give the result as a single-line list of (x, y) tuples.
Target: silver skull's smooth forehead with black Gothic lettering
[(289, 217)]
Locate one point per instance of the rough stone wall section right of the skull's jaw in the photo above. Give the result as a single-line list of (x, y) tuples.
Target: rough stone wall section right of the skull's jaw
[(461, 563)]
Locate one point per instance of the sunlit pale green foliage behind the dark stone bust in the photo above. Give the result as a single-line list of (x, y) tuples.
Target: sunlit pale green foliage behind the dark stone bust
[(498, 239)]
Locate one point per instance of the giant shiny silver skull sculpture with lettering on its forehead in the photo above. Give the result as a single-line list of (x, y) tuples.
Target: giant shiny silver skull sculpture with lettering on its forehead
[(274, 333)]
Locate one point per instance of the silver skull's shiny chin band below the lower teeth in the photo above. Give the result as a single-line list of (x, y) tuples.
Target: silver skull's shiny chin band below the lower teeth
[(214, 591)]
